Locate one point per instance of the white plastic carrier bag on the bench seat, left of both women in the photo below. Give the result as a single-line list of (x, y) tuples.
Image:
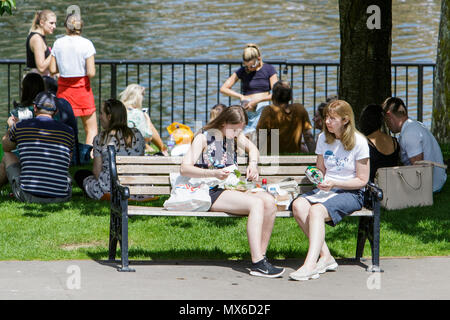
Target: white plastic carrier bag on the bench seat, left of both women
[(186, 197)]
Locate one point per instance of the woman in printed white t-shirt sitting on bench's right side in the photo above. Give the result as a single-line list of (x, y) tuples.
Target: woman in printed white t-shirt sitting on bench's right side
[(343, 157)]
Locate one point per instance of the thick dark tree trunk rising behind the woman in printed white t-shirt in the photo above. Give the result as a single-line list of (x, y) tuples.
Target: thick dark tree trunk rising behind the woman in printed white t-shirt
[(365, 62)]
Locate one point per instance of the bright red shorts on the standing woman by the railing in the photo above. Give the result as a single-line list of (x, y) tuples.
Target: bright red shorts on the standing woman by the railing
[(78, 92)]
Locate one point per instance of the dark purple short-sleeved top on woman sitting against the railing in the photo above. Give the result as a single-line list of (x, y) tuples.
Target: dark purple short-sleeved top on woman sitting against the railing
[(256, 81)]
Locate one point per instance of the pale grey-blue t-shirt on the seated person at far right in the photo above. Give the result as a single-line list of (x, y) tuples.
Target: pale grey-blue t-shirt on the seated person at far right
[(415, 139)]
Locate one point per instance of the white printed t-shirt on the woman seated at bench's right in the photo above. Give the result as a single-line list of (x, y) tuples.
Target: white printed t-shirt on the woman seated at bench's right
[(340, 164)]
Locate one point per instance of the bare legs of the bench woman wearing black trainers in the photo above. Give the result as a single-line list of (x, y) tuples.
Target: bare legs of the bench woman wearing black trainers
[(261, 210)]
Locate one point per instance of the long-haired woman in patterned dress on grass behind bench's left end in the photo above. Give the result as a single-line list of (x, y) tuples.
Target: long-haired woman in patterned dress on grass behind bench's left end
[(127, 141)]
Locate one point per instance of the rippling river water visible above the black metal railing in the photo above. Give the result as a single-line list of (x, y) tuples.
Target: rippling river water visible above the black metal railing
[(212, 29)]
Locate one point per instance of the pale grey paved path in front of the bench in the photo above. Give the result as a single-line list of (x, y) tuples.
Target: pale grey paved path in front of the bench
[(404, 278)]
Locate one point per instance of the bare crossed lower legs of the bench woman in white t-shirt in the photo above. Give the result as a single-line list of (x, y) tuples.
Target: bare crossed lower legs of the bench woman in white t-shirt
[(311, 219)]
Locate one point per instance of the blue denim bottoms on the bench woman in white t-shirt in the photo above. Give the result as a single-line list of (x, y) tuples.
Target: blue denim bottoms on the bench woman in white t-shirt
[(339, 206)]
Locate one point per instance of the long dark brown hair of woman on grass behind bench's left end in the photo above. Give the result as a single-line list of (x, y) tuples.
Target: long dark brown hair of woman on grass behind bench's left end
[(118, 123)]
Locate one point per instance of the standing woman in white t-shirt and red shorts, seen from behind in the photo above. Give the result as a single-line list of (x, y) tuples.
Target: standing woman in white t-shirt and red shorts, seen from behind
[(73, 58)]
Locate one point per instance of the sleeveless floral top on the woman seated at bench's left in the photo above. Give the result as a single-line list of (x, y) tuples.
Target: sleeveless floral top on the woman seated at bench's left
[(218, 154)]
